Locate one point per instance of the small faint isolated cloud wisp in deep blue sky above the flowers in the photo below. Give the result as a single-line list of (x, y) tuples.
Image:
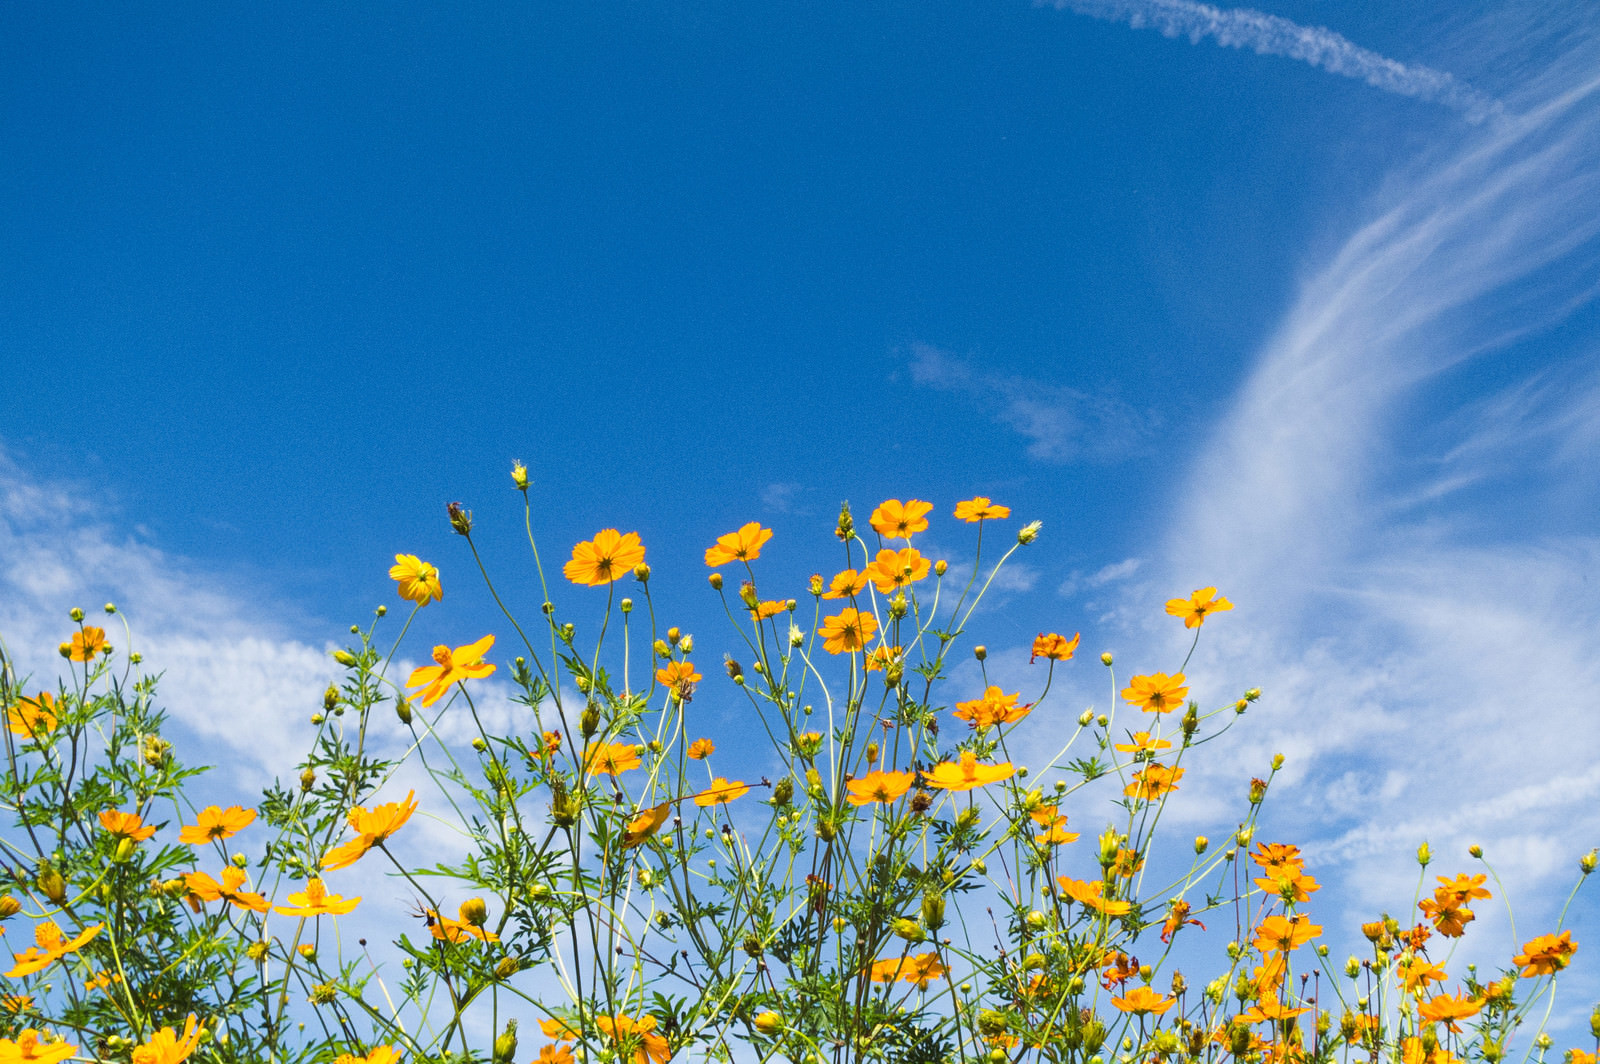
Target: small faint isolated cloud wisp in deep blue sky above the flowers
[(1058, 422)]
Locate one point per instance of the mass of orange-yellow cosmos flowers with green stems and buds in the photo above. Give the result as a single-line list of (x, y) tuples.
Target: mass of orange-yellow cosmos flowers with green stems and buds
[(916, 870)]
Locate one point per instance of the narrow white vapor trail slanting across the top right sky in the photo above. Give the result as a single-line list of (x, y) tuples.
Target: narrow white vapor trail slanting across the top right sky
[(1273, 36)]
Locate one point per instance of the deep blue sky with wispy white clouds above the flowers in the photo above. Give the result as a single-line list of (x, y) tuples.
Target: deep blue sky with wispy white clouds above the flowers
[(1303, 313)]
